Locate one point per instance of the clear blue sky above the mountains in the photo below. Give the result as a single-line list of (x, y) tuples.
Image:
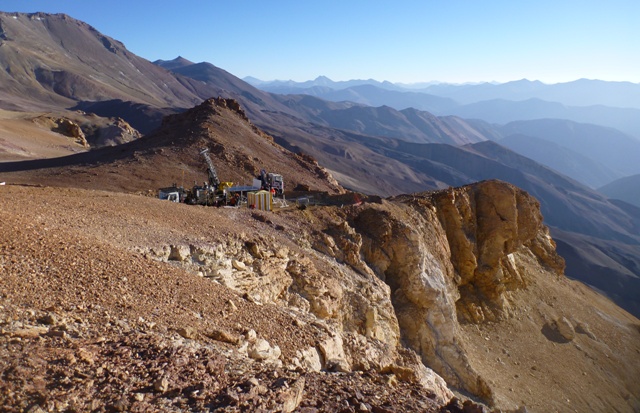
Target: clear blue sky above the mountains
[(400, 41)]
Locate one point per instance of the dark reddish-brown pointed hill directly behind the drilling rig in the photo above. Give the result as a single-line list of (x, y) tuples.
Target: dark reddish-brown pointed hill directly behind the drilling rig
[(171, 155)]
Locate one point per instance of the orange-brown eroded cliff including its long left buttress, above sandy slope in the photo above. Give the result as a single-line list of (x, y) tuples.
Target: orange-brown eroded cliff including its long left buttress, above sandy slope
[(450, 257)]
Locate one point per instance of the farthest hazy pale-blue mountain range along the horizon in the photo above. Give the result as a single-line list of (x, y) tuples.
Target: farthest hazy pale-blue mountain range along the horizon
[(612, 104)]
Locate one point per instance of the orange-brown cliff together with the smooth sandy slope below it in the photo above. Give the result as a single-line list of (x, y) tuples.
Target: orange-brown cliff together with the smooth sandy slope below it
[(479, 293)]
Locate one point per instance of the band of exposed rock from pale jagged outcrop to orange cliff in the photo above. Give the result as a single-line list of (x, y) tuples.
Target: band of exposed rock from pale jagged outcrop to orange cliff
[(407, 270)]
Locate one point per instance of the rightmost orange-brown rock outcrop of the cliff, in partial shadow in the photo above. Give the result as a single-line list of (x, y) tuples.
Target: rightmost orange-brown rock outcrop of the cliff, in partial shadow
[(490, 227)]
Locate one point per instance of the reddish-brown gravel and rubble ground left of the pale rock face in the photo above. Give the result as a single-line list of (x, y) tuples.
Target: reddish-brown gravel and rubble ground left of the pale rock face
[(87, 323)]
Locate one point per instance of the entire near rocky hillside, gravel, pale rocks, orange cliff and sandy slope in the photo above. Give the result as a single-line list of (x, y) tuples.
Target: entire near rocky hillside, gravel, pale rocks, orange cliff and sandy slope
[(292, 308)]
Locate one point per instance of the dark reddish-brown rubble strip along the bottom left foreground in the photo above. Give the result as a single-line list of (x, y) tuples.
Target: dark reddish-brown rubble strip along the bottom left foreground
[(122, 366)]
